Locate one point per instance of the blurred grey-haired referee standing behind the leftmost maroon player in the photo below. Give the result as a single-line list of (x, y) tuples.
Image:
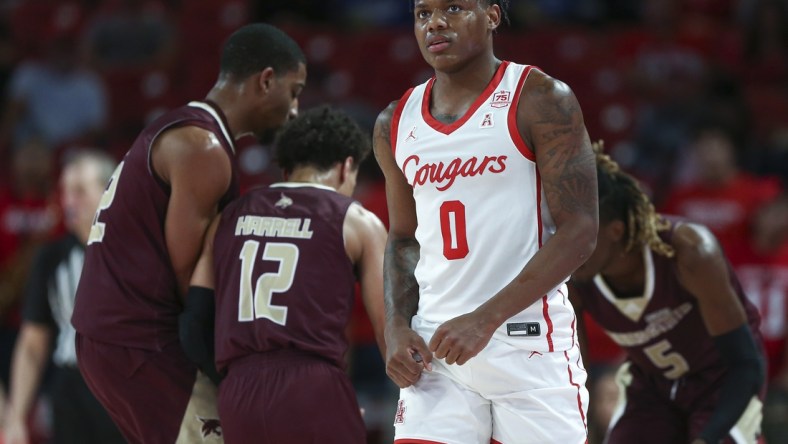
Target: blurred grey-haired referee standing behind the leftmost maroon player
[(49, 299)]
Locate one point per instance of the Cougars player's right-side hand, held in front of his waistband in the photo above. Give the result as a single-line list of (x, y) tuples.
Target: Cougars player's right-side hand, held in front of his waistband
[(459, 339)]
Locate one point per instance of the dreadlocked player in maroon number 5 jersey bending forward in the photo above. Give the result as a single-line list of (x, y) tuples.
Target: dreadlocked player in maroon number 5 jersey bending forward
[(664, 291)]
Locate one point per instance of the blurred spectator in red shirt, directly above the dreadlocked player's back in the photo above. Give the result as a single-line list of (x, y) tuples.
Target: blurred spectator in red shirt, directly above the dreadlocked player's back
[(719, 195)]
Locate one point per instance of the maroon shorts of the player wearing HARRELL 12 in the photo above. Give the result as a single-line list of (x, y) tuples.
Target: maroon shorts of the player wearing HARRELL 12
[(288, 397)]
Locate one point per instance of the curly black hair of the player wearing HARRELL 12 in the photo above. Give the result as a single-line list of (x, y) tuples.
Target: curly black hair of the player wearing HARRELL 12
[(321, 137)]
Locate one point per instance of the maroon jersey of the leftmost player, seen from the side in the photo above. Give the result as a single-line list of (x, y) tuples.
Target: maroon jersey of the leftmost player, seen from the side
[(128, 291)]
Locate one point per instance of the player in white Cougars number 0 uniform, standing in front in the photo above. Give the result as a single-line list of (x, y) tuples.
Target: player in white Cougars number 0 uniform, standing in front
[(491, 186)]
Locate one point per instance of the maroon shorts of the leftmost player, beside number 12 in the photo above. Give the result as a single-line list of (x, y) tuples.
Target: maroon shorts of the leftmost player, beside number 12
[(145, 392)]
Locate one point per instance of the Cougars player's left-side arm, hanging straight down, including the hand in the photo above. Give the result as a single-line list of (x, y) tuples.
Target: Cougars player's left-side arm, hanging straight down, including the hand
[(406, 352)]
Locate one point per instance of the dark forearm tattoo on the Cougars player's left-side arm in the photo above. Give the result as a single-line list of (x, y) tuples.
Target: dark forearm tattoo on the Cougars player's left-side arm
[(399, 283)]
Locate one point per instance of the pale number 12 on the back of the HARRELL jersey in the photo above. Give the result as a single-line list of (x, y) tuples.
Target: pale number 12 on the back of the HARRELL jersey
[(255, 302)]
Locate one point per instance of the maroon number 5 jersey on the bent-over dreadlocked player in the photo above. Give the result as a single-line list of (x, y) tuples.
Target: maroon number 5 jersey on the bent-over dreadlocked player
[(662, 330)]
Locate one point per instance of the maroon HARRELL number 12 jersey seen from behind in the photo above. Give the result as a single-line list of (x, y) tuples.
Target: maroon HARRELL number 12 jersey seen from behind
[(283, 276)]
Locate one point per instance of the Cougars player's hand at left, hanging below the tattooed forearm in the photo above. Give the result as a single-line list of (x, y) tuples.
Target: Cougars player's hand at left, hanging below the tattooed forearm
[(407, 356)]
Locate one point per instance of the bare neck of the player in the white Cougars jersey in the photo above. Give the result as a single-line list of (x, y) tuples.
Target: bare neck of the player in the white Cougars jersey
[(453, 92)]
